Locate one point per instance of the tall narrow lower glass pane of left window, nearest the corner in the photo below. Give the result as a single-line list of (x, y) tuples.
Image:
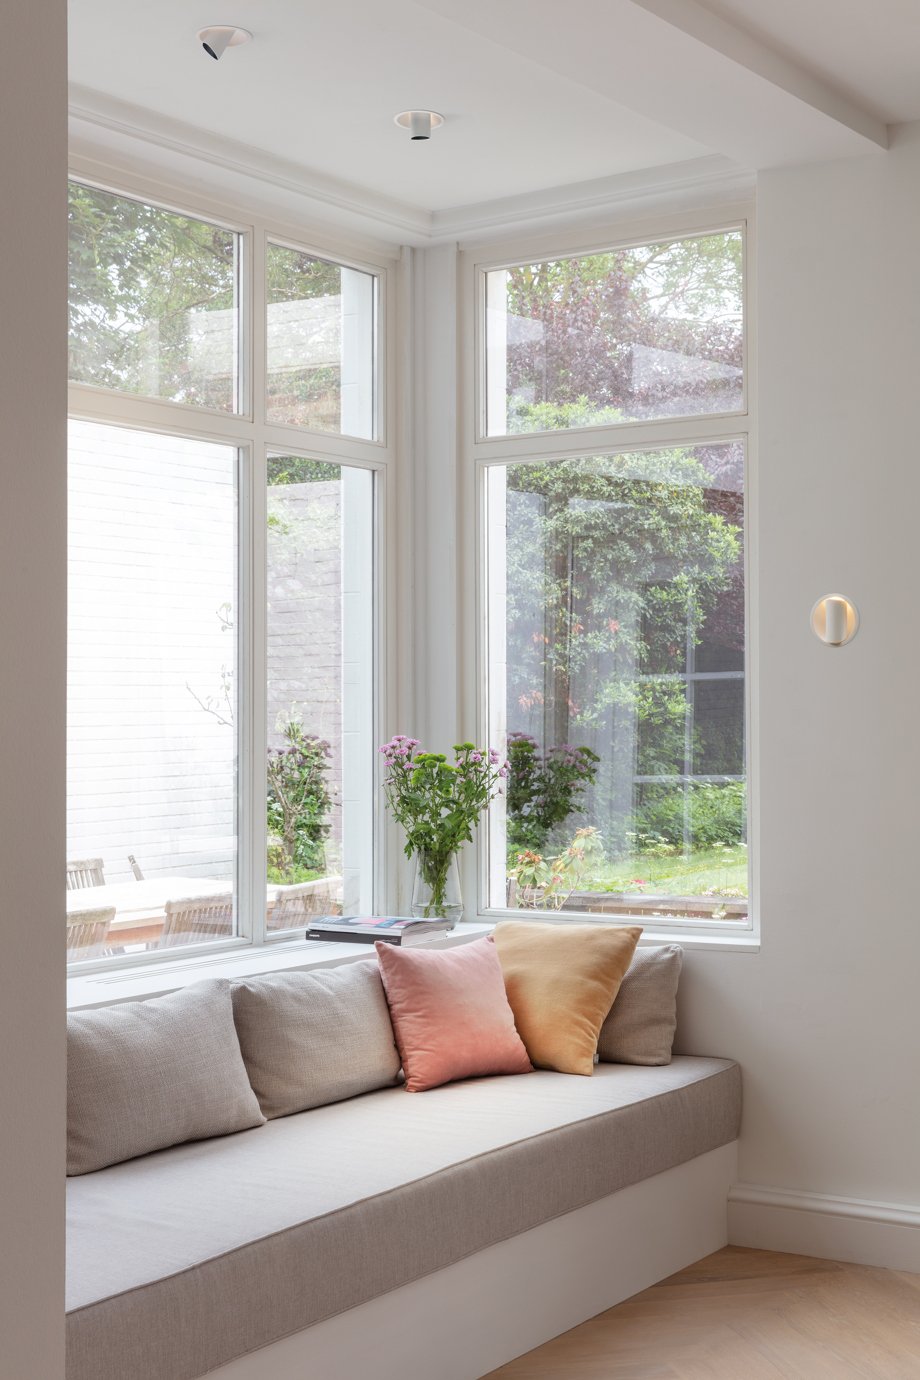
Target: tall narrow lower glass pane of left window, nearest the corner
[(321, 691)]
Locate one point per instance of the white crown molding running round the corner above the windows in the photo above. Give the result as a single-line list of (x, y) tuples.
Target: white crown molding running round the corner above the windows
[(108, 130)]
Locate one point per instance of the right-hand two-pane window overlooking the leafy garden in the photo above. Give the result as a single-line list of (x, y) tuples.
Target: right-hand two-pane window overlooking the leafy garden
[(616, 586)]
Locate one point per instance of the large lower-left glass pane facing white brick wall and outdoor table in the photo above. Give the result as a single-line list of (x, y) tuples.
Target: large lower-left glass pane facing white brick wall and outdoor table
[(152, 691)]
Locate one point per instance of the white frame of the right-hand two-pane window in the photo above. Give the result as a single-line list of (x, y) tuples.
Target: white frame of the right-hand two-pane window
[(481, 452)]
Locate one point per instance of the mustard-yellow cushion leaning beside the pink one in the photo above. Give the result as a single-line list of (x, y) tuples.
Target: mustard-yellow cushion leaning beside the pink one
[(562, 982)]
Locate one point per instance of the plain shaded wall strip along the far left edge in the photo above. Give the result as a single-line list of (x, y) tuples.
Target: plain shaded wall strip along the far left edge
[(32, 678)]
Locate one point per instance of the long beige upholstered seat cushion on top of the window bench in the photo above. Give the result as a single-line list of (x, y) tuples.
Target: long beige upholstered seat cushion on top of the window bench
[(184, 1261)]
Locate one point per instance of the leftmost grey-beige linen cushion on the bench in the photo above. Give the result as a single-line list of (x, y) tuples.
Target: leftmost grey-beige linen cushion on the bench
[(151, 1074)]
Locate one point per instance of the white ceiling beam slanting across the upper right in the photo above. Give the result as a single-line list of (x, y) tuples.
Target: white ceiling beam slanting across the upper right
[(677, 63)]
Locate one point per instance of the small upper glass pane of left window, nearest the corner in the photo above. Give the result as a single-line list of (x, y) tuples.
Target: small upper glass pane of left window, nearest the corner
[(321, 344)]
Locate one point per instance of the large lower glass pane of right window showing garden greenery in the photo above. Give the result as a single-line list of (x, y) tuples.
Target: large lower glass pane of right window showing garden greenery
[(608, 579)]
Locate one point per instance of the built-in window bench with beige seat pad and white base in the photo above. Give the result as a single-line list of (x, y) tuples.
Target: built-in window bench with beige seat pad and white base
[(399, 1236)]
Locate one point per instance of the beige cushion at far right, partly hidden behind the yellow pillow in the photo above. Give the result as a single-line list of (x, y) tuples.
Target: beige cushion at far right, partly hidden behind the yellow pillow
[(641, 1027)]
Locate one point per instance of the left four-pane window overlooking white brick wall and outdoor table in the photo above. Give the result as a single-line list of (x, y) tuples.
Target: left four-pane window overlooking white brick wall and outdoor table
[(223, 587)]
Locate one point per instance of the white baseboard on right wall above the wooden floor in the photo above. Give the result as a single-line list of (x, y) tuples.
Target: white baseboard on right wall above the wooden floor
[(820, 1225)]
